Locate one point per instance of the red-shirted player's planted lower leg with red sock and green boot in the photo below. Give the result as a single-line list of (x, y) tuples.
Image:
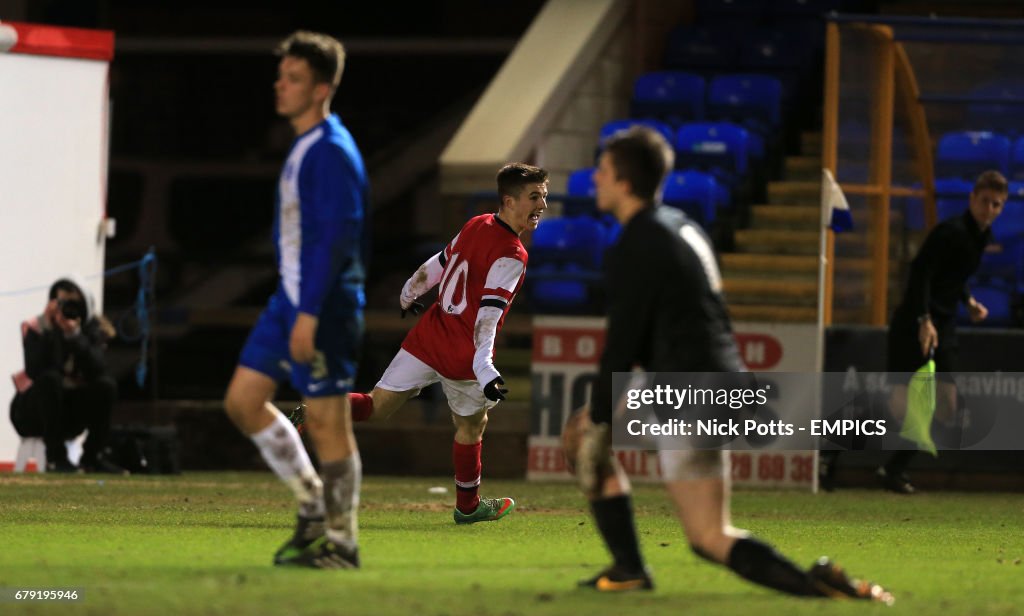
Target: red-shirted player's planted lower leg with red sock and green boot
[(466, 459)]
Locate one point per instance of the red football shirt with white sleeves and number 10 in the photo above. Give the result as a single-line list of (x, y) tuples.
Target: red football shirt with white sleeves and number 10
[(485, 266)]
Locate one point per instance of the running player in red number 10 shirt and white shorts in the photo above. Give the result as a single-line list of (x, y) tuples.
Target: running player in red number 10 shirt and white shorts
[(480, 273)]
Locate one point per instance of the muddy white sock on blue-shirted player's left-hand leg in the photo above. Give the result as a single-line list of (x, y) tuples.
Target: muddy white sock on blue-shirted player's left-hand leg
[(282, 449)]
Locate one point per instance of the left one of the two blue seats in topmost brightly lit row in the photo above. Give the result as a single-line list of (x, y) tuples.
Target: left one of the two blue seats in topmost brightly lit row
[(669, 97)]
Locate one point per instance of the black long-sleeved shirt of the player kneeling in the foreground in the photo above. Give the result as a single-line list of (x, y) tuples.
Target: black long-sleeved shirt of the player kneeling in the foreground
[(666, 312)]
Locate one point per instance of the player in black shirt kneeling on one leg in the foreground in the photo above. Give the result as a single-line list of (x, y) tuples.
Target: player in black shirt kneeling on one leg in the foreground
[(666, 314)]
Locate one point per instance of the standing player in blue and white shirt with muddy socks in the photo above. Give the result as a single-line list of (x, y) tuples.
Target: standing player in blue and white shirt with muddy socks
[(312, 329)]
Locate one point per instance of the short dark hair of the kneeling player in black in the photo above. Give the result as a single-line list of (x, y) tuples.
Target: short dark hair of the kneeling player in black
[(643, 157)]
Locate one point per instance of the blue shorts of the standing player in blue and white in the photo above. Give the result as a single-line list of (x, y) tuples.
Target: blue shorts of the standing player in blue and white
[(339, 338)]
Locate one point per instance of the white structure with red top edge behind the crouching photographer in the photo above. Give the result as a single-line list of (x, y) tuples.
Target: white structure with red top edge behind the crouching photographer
[(54, 150)]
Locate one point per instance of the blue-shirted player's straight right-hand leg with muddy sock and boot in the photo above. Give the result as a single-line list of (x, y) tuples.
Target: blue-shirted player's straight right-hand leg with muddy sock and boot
[(330, 426)]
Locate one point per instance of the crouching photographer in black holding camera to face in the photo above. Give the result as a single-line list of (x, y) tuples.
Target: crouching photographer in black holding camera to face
[(64, 389)]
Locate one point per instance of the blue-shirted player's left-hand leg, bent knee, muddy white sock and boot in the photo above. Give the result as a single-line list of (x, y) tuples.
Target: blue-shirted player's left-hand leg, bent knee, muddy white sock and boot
[(248, 406)]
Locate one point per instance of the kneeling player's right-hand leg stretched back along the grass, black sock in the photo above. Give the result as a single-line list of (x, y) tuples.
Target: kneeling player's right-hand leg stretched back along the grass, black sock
[(698, 482)]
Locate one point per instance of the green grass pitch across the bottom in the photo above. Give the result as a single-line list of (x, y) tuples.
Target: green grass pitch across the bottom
[(201, 544)]
